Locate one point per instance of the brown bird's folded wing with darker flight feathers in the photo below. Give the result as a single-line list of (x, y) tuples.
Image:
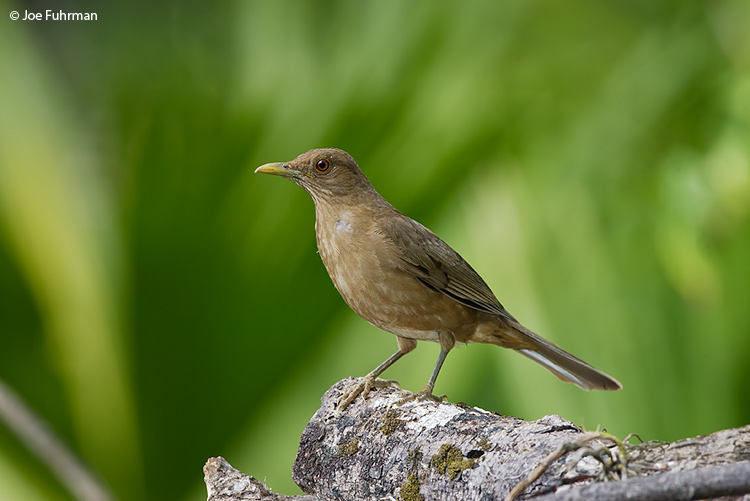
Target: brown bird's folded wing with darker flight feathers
[(436, 265)]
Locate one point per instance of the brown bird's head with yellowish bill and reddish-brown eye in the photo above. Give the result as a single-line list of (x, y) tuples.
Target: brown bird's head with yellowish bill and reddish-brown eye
[(327, 174)]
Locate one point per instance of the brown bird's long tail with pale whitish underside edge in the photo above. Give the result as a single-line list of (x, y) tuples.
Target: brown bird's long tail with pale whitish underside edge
[(567, 367)]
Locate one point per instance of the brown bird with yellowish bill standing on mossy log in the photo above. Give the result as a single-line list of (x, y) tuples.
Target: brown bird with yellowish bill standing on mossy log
[(402, 278)]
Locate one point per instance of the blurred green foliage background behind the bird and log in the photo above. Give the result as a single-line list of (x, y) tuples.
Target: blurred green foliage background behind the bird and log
[(160, 305)]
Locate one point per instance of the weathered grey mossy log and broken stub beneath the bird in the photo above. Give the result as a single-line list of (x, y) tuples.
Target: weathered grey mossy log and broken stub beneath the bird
[(376, 450)]
